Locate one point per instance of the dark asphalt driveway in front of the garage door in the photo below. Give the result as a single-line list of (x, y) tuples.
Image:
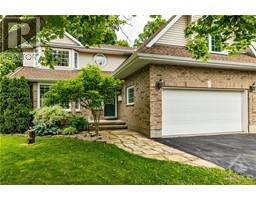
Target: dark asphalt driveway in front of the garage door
[(236, 151)]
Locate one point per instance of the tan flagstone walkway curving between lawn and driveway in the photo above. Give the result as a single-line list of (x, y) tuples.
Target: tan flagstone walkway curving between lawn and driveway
[(136, 143)]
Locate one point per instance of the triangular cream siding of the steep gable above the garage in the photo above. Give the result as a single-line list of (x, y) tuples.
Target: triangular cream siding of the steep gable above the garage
[(175, 35)]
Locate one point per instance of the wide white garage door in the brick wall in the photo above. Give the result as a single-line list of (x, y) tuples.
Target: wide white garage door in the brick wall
[(201, 111)]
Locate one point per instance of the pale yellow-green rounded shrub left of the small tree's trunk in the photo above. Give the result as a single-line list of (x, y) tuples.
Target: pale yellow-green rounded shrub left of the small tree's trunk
[(52, 115)]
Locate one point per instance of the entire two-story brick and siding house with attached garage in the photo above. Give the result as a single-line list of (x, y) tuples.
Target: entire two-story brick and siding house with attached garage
[(166, 92)]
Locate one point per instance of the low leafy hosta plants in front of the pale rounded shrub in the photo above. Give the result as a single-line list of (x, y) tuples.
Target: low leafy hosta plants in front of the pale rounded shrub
[(43, 129)]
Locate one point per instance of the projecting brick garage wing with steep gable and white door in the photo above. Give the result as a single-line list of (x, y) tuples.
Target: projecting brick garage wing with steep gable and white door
[(167, 93)]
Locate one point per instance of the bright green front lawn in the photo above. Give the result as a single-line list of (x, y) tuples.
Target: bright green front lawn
[(58, 160)]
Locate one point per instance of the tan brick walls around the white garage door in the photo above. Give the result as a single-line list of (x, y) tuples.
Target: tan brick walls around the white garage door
[(146, 114)]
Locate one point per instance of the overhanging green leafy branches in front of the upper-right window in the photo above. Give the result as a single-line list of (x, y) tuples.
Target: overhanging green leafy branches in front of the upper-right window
[(235, 34)]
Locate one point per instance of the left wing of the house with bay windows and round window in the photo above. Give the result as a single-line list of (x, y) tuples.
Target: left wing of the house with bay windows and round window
[(71, 57)]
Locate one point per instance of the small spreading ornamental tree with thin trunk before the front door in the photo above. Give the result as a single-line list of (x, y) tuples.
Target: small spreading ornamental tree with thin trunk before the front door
[(92, 87)]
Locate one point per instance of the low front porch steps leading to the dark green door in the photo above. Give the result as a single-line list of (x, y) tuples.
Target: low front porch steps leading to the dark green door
[(110, 125)]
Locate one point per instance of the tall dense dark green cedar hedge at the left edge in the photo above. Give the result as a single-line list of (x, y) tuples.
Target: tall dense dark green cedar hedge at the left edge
[(15, 105)]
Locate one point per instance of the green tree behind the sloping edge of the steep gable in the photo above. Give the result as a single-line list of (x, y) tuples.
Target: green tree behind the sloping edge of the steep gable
[(153, 25)]
